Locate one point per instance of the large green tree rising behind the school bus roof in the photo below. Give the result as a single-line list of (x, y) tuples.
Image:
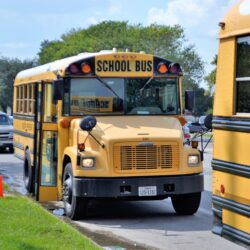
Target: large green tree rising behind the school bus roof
[(160, 40)]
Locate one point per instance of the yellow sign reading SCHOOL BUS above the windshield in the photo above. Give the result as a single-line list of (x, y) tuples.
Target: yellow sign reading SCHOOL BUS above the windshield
[(130, 64)]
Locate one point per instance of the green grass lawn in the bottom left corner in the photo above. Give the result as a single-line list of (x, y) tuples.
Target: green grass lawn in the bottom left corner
[(26, 225)]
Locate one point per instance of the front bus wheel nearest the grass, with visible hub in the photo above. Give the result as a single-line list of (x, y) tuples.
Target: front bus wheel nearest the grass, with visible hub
[(75, 207)]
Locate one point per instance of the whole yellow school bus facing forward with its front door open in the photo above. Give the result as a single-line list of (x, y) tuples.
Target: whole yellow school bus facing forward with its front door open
[(105, 125)]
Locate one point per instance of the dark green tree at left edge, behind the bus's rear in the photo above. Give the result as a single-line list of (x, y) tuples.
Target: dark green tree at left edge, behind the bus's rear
[(8, 71)]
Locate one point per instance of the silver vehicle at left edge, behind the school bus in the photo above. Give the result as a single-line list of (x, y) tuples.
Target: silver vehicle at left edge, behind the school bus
[(6, 133)]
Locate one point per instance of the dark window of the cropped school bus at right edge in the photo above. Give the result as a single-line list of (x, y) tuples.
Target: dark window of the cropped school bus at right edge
[(243, 75)]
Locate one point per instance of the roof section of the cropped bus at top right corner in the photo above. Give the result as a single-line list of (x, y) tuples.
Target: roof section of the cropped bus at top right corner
[(236, 21)]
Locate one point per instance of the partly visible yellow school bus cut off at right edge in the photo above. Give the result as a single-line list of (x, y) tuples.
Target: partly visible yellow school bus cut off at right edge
[(231, 127)]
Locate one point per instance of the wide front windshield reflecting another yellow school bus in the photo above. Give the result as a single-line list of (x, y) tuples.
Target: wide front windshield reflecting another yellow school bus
[(135, 96)]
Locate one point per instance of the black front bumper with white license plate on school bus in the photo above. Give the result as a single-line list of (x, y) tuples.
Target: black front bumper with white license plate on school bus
[(138, 187)]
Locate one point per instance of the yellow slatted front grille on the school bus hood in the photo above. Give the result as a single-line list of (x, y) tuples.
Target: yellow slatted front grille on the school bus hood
[(155, 157)]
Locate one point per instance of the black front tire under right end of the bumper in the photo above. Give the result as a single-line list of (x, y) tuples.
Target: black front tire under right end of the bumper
[(186, 204)]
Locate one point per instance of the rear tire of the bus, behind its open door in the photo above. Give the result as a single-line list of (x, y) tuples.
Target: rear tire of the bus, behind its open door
[(28, 172)]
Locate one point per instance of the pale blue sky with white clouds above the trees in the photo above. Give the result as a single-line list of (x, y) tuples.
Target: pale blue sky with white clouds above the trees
[(24, 24)]
